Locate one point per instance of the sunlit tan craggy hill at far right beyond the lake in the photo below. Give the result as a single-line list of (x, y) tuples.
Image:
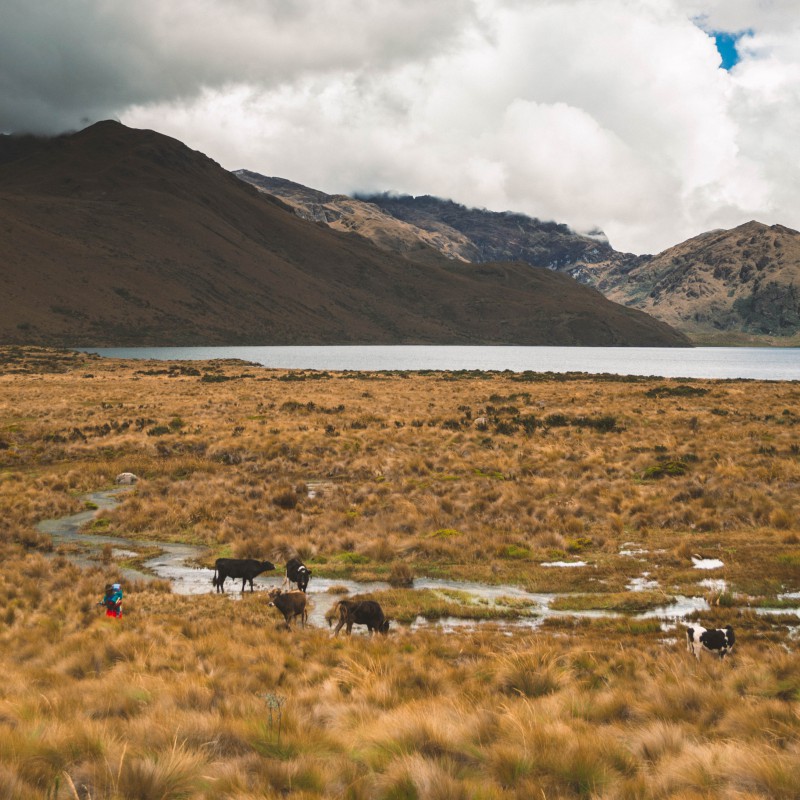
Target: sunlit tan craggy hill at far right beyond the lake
[(745, 280)]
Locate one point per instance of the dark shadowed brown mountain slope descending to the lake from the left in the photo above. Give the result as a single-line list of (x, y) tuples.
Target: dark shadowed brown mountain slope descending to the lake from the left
[(116, 236)]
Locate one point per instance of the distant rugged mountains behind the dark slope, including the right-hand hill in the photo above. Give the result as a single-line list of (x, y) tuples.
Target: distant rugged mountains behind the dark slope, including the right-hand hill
[(737, 286)]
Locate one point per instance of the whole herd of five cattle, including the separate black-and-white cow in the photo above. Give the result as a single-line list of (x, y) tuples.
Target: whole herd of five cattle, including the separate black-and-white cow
[(356, 611)]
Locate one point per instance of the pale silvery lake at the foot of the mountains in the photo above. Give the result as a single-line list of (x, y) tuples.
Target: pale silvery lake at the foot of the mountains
[(761, 363)]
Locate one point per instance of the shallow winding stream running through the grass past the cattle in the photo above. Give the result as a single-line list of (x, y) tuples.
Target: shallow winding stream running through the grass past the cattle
[(173, 563)]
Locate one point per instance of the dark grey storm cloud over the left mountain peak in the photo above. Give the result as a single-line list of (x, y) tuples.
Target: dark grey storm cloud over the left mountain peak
[(64, 63)]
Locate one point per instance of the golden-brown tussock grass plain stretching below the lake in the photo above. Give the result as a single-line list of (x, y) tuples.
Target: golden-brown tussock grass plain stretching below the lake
[(399, 479)]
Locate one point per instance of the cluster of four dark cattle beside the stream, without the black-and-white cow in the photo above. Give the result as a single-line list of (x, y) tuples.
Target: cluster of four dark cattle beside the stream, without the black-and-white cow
[(293, 604)]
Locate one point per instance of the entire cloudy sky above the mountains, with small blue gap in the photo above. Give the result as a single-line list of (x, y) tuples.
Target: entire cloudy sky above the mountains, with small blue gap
[(616, 114)]
